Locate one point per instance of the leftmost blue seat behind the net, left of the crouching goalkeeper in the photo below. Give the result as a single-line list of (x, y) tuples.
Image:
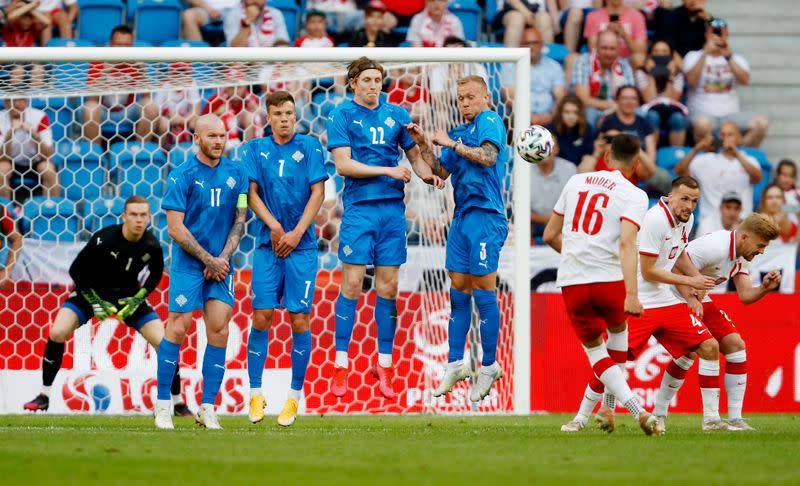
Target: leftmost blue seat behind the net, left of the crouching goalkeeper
[(53, 219)]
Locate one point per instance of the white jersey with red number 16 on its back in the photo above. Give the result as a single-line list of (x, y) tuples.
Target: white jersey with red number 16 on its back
[(593, 205)]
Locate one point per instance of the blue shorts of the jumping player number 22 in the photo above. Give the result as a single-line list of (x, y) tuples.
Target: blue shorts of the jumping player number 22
[(374, 232)]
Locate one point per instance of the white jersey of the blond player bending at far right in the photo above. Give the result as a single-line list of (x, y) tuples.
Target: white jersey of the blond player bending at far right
[(714, 255)]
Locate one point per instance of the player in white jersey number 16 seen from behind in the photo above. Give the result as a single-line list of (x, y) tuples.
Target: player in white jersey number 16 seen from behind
[(594, 226)]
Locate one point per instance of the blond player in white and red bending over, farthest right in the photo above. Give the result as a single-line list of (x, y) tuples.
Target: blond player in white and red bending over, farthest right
[(725, 255)]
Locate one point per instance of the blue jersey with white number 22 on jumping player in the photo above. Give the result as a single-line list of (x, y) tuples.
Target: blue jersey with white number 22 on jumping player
[(375, 138)]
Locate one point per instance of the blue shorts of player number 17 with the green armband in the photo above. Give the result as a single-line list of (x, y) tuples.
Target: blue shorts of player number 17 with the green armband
[(189, 291)]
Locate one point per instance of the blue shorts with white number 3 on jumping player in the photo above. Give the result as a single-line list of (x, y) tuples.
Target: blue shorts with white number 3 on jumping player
[(474, 242)]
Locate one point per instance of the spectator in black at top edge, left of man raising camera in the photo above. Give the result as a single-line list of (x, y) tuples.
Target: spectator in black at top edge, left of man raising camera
[(684, 27)]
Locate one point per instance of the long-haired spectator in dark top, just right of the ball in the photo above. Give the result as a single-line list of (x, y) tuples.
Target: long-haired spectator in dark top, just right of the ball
[(574, 136)]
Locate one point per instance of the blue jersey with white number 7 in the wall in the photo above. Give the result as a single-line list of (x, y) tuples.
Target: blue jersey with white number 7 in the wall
[(284, 174)]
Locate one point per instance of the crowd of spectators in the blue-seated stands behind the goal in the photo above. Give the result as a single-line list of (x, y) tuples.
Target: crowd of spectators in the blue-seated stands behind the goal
[(663, 71)]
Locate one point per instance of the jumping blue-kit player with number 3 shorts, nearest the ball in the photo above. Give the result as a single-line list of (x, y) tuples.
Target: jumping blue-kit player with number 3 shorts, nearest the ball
[(475, 155)]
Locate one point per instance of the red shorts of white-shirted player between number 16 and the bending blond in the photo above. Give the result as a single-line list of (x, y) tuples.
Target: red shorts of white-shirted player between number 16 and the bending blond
[(674, 326)]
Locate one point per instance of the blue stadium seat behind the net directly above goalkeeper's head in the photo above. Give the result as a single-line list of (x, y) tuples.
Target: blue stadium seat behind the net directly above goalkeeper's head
[(138, 168)]
